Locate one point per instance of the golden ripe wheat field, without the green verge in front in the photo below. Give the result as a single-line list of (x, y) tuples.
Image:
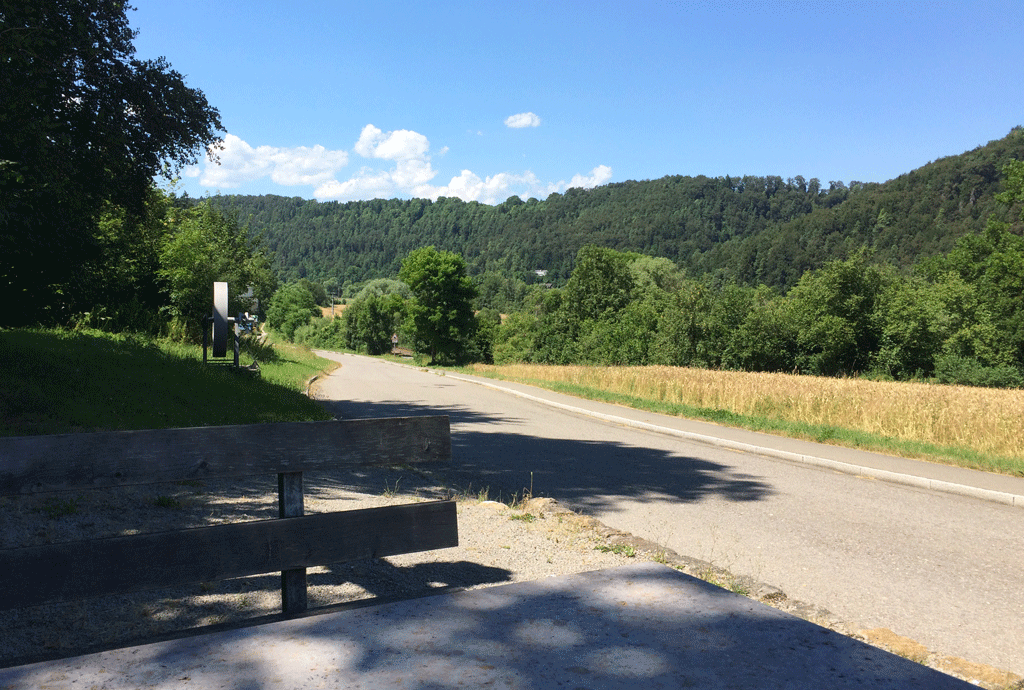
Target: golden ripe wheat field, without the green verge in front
[(985, 420)]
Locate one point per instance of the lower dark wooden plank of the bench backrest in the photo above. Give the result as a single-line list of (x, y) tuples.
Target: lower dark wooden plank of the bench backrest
[(81, 570)]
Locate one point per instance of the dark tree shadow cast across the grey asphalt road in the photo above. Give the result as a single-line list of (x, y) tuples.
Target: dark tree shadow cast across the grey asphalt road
[(586, 476)]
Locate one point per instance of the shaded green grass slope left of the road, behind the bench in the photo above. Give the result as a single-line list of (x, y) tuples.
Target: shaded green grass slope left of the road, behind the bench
[(78, 381)]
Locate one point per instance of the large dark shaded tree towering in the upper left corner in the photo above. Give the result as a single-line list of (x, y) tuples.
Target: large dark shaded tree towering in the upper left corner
[(83, 123)]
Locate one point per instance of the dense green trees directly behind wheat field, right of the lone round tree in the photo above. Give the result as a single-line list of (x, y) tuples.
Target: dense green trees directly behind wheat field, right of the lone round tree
[(957, 319)]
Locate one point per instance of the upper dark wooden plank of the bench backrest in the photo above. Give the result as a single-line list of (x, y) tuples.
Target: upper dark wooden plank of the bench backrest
[(32, 464)]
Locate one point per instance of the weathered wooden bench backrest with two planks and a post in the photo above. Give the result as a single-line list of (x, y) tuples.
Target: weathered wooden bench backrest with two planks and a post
[(70, 572)]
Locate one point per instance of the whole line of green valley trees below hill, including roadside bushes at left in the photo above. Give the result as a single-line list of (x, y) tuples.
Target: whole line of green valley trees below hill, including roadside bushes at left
[(956, 318)]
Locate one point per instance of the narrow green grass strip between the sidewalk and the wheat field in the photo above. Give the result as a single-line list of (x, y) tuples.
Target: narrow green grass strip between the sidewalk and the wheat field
[(835, 436)]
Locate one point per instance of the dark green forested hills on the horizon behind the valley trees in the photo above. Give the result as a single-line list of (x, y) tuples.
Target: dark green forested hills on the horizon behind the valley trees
[(755, 230)]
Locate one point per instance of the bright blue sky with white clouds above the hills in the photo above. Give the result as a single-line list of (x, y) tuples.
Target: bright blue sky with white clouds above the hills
[(483, 101)]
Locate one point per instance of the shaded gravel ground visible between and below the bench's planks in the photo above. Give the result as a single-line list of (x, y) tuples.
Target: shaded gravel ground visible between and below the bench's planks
[(109, 623)]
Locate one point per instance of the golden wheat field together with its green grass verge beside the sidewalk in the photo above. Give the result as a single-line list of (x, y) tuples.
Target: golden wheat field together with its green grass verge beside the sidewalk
[(979, 428)]
